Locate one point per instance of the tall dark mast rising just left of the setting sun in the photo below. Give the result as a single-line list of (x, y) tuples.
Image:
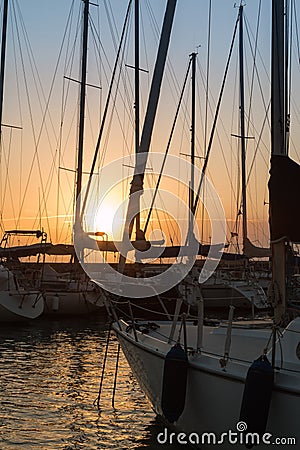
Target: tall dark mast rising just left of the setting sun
[(82, 109)]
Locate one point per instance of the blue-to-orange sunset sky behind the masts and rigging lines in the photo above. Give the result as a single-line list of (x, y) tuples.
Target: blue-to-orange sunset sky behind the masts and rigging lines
[(35, 192)]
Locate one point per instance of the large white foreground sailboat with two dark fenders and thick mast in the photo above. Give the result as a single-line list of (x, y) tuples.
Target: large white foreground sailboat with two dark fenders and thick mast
[(235, 383)]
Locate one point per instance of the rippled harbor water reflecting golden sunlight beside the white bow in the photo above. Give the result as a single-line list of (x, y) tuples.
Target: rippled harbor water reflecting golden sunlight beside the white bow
[(50, 372)]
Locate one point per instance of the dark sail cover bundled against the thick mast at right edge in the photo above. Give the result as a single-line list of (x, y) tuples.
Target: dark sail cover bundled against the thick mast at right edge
[(284, 192)]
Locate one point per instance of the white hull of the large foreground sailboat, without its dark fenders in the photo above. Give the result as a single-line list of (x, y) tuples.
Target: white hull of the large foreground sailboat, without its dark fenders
[(214, 395)]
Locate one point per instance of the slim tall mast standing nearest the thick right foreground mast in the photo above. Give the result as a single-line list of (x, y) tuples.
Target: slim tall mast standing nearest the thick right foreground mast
[(242, 122)]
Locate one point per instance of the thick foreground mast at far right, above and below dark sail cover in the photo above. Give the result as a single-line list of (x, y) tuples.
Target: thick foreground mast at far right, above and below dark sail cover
[(278, 148)]
